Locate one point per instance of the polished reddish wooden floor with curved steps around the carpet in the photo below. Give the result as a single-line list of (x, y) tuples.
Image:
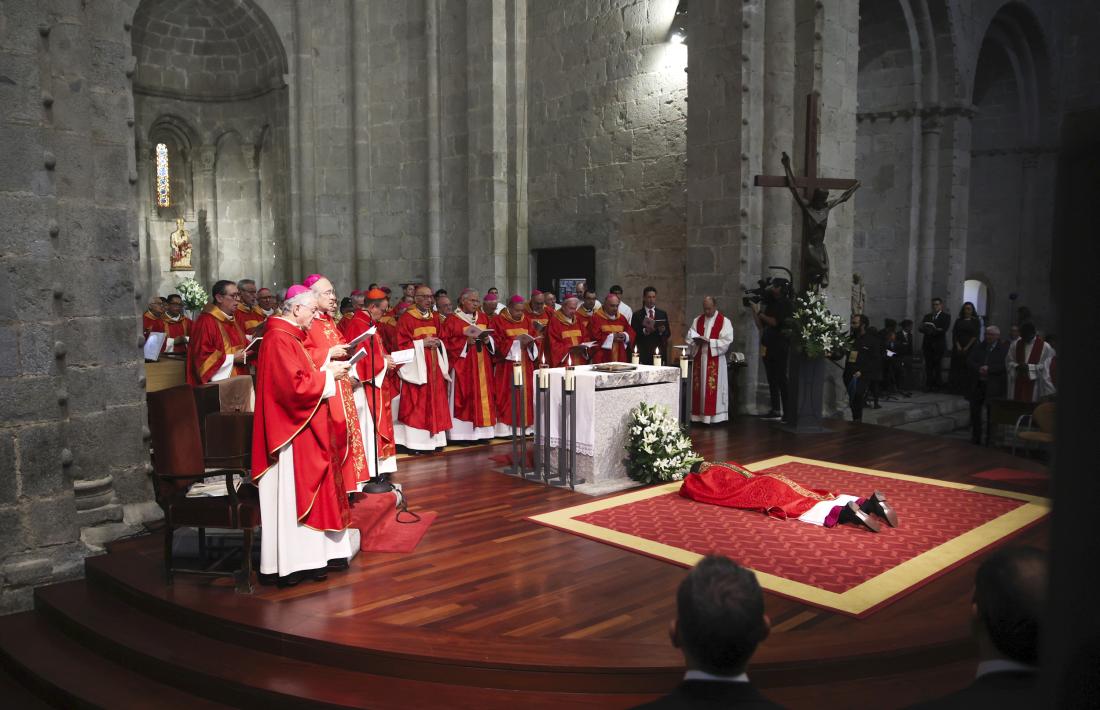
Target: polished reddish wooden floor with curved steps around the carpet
[(494, 611)]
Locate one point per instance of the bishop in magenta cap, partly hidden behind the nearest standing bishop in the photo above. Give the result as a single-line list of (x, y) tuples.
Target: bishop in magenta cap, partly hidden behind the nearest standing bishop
[(325, 343)]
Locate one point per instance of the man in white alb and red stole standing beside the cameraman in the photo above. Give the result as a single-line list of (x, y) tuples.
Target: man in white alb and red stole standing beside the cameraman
[(710, 337)]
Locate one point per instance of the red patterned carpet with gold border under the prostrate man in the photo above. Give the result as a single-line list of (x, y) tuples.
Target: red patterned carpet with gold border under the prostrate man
[(845, 569)]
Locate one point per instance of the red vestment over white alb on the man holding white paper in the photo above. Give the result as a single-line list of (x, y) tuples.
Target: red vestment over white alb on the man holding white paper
[(424, 418)]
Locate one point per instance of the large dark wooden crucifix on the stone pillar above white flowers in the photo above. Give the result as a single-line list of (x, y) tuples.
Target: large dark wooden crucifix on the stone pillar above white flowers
[(808, 183)]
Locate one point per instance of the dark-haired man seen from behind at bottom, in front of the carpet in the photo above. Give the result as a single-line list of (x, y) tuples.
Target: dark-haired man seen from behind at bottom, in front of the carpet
[(720, 622)]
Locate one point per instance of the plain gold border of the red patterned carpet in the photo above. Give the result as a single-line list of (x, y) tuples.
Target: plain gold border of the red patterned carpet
[(854, 602)]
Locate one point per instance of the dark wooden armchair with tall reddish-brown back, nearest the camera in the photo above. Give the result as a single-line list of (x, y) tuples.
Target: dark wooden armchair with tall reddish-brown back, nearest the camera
[(178, 464)]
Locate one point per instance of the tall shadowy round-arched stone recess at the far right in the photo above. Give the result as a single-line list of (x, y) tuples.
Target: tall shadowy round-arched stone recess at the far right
[(1009, 239)]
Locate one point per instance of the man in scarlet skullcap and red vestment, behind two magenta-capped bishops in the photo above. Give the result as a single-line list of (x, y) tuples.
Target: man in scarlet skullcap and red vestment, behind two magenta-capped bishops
[(372, 395)]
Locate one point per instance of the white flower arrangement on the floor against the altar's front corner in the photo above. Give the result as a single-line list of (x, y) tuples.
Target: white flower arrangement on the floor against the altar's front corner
[(658, 450)]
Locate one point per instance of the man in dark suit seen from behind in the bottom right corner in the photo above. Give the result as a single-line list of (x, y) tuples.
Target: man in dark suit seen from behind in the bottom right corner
[(1009, 596)]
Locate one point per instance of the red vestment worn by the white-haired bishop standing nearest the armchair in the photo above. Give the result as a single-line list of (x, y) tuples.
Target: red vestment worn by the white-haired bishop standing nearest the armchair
[(291, 409)]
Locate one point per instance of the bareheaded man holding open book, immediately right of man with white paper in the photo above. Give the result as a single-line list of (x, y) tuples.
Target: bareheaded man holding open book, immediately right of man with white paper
[(470, 348)]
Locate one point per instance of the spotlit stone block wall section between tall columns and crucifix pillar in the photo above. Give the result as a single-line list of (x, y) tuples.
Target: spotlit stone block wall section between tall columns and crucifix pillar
[(608, 144)]
